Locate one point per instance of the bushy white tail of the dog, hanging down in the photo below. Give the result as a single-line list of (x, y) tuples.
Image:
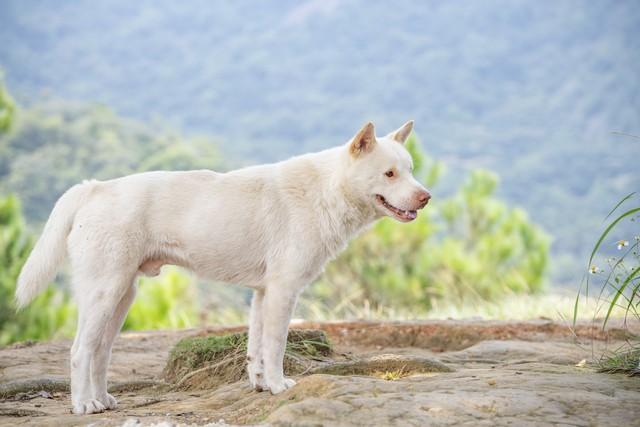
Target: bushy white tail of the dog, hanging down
[(51, 247)]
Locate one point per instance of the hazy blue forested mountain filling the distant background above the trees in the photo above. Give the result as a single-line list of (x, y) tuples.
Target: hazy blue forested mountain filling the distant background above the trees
[(530, 89)]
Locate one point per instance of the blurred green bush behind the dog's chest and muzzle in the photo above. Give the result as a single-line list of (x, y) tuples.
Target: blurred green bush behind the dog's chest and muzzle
[(463, 249)]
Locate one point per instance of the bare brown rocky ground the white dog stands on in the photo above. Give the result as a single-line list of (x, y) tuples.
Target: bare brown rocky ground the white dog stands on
[(443, 373)]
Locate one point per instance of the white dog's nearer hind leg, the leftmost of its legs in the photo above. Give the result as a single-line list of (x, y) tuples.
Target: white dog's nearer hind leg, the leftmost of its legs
[(97, 299)]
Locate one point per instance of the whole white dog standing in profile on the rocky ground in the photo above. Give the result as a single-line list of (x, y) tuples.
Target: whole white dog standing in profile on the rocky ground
[(270, 227)]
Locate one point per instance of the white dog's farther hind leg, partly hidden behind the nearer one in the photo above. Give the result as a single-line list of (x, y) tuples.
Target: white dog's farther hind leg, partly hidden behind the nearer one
[(102, 356)]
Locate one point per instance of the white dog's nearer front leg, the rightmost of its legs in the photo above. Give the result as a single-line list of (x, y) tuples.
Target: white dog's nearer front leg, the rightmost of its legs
[(277, 308)]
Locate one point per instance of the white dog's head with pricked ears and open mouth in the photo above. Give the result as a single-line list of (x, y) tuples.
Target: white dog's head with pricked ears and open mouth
[(381, 171)]
